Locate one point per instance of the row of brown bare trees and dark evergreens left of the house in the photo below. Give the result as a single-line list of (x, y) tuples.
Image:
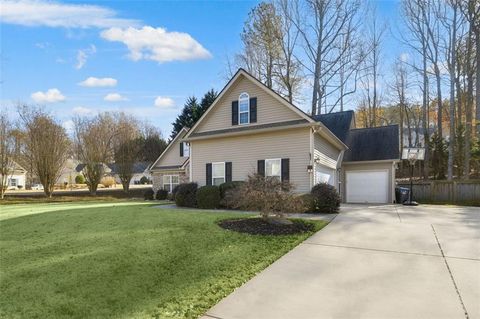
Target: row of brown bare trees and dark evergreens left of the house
[(38, 142)]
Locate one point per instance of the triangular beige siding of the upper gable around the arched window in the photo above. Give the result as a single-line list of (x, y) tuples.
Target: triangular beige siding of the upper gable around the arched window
[(269, 110)]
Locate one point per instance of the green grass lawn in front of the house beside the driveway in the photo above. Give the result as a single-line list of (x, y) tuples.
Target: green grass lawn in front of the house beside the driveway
[(123, 260)]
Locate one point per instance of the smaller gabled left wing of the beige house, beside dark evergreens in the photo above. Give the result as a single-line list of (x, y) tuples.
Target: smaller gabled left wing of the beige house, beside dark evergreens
[(172, 166)]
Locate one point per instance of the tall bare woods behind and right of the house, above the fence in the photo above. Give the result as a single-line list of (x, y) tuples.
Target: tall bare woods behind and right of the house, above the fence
[(330, 54)]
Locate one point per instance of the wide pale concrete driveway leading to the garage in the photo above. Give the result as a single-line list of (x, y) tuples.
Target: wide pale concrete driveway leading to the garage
[(385, 261)]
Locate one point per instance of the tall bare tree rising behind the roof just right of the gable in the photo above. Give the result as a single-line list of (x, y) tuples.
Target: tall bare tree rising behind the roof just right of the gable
[(323, 25)]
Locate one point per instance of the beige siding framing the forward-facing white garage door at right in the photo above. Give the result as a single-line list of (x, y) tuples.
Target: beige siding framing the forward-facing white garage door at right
[(375, 166)]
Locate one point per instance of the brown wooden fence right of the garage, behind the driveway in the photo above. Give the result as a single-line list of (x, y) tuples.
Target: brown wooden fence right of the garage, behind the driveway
[(467, 191)]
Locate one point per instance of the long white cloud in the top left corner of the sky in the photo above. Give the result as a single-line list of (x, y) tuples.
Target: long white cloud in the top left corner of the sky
[(56, 14)]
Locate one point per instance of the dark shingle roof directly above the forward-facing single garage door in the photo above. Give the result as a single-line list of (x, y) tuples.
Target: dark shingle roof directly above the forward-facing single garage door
[(373, 144)]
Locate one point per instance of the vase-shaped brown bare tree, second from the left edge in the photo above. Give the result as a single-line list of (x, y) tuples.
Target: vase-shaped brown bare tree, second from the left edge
[(47, 145)]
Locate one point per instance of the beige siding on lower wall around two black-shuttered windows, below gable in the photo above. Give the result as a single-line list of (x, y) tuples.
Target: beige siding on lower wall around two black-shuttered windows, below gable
[(245, 151)]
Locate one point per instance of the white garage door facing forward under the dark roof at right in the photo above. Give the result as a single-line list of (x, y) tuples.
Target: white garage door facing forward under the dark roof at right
[(367, 186)]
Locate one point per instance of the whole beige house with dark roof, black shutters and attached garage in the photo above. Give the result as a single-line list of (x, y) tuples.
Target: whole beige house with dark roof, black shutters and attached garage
[(251, 129)]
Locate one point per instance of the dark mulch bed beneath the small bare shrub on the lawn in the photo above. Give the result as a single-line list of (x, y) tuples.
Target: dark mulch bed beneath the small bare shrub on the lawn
[(258, 226)]
